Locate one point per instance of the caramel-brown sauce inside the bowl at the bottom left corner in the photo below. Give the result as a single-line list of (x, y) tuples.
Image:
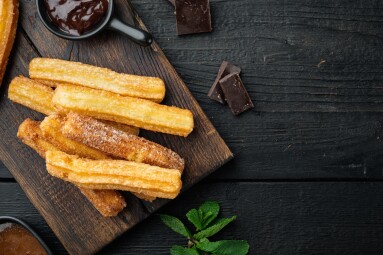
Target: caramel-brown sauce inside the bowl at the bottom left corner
[(15, 240)]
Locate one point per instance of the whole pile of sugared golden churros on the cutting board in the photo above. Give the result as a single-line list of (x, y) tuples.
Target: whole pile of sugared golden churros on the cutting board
[(90, 134)]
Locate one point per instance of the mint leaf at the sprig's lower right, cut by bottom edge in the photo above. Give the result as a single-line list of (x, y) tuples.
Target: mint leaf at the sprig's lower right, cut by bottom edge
[(225, 247)]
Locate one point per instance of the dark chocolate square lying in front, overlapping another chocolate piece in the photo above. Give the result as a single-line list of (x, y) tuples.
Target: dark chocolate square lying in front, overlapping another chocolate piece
[(235, 93)]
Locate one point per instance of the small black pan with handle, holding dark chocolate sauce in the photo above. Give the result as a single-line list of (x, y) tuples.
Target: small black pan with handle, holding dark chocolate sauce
[(81, 19)]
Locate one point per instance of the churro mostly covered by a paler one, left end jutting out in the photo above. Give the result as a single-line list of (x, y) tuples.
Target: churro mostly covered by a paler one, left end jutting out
[(38, 97)]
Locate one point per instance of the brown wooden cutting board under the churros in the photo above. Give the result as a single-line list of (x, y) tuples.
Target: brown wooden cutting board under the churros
[(80, 228)]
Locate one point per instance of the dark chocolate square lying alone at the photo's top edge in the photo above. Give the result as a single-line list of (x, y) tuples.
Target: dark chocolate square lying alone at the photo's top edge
[(193, 16)]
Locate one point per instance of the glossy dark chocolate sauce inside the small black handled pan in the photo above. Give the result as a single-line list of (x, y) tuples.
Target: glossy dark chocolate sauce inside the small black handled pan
[(76, 16)]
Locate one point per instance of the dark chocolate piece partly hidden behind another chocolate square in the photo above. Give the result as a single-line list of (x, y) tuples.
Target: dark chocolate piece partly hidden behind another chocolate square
[(215, 91)]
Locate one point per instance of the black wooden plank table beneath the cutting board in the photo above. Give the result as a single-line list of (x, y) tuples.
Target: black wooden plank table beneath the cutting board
[(308, 168)]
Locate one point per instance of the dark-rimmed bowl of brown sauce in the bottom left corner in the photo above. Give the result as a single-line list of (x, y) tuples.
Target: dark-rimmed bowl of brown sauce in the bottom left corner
[(16, 238)]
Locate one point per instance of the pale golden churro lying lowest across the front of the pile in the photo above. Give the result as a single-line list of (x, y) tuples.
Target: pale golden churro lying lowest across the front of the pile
[(115, 174)]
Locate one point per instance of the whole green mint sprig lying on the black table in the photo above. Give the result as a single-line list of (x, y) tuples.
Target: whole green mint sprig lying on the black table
[(205, 221)]
